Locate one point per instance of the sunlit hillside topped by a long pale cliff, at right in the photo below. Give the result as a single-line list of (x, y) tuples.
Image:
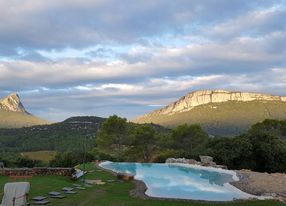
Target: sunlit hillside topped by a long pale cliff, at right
[(219, 112)]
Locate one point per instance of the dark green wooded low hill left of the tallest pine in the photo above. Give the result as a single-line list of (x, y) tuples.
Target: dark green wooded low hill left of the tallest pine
[(62, 136)]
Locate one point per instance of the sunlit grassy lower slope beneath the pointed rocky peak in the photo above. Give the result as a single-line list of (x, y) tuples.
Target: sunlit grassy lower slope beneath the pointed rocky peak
[(10, 119)]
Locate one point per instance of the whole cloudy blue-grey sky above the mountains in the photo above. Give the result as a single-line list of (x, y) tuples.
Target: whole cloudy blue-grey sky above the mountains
[(103, 57)]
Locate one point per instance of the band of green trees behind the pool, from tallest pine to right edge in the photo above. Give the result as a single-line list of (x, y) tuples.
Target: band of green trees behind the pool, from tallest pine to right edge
[(262, 148)]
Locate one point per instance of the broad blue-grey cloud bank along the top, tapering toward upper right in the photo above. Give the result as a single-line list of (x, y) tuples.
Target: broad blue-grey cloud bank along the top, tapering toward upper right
[(78, 24)]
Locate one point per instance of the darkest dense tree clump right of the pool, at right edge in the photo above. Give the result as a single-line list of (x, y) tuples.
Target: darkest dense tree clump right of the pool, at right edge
[(259, 151)]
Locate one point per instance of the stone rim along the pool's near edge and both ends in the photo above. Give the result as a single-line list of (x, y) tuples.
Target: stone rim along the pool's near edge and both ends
[(140, 191)]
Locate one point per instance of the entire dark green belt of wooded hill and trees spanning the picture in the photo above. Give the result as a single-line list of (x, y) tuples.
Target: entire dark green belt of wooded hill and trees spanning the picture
[(262, 148)]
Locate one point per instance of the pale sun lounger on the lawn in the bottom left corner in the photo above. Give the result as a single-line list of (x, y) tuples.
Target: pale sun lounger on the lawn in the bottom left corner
[(15, 194)]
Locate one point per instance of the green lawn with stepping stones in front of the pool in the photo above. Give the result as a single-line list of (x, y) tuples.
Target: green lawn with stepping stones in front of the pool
[(115, 193)]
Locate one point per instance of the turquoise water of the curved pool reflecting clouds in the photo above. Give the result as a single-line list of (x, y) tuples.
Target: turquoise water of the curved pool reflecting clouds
[(182, 181)]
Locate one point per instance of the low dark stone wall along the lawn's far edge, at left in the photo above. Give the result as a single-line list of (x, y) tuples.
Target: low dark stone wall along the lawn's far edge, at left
[(36, 171)]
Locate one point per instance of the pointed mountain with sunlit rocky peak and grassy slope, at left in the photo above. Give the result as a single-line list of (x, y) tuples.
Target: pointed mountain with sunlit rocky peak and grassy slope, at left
[(14, 115)]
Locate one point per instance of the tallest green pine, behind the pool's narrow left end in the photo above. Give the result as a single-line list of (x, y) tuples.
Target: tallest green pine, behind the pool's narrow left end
[(112, 136)]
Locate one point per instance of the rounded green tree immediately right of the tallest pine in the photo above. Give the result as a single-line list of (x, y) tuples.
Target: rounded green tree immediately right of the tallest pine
[(143, 142)]
